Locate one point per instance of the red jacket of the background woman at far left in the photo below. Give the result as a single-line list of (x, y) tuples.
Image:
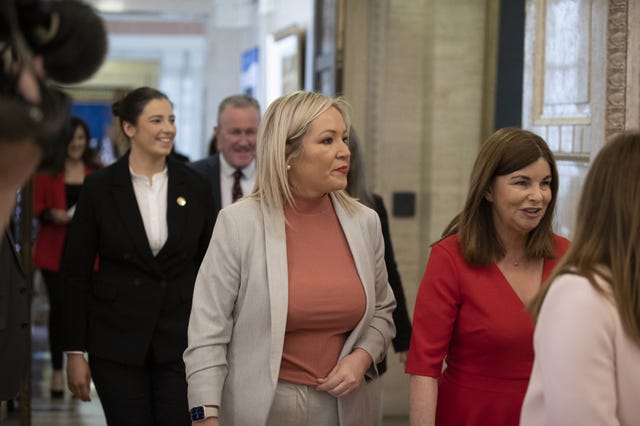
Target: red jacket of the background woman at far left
[(49, 193)]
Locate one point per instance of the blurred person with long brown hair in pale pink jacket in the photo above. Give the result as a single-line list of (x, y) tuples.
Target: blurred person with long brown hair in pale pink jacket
[(587, 337)]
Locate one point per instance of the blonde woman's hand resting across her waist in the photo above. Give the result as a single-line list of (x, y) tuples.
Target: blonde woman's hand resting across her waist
[(347, 375)]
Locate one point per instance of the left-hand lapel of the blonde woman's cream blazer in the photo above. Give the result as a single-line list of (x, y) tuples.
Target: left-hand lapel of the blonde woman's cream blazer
[(278, 281)]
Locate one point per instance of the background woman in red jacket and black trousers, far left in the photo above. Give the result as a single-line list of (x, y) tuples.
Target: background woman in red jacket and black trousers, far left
[(55, 195)]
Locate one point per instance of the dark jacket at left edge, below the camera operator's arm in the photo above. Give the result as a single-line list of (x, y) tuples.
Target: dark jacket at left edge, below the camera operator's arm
[(14, 319)]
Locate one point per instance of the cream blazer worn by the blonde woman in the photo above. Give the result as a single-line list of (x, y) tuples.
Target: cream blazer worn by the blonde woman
[(239, 313)]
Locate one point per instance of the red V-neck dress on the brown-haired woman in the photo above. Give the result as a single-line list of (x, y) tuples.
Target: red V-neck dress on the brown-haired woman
[(472, 315)]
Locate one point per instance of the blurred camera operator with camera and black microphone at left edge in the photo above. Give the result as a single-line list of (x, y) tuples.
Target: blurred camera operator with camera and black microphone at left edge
[(65, 41)]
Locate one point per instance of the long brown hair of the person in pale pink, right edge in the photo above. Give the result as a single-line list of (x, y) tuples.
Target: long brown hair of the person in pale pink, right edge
[(607, 231)]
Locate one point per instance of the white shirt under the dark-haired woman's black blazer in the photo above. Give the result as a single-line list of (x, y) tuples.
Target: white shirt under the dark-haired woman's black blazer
[(152, 203)]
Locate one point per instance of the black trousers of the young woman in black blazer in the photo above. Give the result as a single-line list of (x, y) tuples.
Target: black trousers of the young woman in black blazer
[(149, 395)]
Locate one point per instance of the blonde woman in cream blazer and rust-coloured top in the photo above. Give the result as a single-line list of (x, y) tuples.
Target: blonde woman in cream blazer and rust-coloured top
[(292, 309)]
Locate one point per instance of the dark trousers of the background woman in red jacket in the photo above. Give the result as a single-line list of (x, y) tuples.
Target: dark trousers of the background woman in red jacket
[(55, 292)]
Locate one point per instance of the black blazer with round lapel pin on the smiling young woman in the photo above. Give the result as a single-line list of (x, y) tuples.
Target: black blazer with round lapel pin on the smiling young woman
[(134, 301)]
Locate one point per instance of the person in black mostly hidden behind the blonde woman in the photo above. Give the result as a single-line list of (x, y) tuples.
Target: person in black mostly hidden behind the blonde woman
[(356, 187)]
